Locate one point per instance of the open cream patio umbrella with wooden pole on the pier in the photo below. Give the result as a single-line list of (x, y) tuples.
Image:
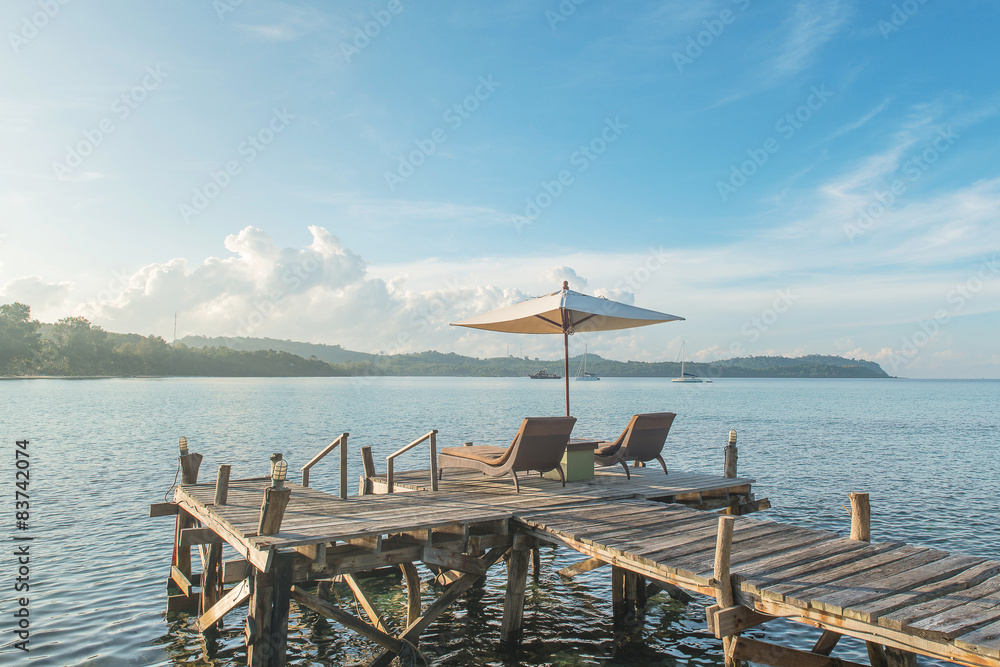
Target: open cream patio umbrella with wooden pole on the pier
[(565, 312)]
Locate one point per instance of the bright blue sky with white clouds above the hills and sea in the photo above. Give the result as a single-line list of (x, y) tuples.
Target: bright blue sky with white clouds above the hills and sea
[(790, 177)]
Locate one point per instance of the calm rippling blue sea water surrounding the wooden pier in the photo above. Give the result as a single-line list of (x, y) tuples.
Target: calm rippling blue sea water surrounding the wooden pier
[(103, 450)]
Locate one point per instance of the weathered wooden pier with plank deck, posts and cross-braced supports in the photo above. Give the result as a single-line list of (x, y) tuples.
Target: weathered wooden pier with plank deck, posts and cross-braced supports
[(655, 532)]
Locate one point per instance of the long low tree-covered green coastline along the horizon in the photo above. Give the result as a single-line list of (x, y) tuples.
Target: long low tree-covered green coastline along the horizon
[(74, 347)]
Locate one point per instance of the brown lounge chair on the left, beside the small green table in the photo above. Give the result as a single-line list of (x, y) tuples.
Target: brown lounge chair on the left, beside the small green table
[(539, 445)]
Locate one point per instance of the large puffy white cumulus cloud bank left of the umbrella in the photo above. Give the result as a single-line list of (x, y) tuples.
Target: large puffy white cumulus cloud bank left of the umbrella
[(320, 293)]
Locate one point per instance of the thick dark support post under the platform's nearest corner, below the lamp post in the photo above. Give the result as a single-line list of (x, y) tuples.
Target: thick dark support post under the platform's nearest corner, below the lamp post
[(267, 625)]
